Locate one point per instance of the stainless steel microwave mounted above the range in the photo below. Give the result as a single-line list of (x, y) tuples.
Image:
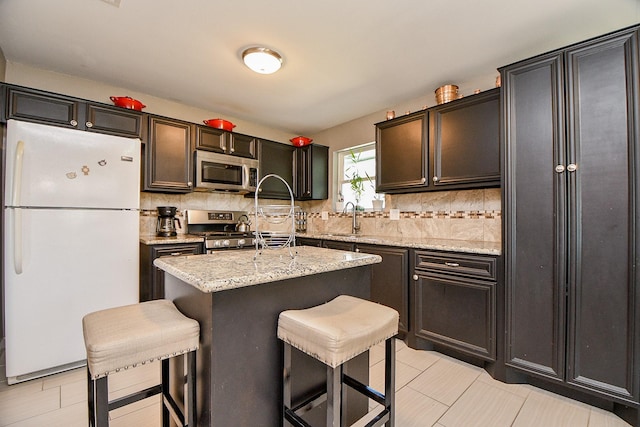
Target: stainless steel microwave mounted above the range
[(222, 172)]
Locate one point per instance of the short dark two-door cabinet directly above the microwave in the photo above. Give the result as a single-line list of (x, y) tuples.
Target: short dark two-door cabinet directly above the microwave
[(220, 141)]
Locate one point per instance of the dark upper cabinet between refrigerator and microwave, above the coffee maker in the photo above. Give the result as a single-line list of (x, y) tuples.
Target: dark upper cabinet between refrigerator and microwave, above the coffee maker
[(168, 157)]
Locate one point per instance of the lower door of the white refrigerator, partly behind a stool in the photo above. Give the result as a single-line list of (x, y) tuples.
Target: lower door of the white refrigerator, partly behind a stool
[(71, 262)]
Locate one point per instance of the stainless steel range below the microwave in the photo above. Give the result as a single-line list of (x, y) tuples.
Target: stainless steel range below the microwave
[(219, 229)]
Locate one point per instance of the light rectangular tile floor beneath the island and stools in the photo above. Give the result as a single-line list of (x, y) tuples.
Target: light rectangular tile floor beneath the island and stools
[(432, 390)]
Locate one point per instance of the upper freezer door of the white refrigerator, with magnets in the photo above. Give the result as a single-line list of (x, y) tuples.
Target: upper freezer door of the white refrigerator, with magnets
[(48, 166)]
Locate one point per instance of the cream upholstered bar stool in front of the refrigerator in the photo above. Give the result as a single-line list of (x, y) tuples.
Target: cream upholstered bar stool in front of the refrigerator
[(124, 337)]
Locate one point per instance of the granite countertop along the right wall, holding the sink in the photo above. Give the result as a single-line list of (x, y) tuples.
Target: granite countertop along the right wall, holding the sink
[(467, 246)]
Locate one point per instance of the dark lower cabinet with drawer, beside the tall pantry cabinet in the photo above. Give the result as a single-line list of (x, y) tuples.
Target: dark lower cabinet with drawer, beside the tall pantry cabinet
[(455, 297)]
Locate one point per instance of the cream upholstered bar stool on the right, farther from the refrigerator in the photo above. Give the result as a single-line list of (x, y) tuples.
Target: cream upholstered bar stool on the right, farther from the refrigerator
[(334, 333)]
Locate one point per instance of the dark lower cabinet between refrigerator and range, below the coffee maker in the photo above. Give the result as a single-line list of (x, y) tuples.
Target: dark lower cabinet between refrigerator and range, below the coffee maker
[(151, 277)]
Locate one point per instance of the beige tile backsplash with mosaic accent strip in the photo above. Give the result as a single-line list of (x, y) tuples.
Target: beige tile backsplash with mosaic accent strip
[(461, 215)]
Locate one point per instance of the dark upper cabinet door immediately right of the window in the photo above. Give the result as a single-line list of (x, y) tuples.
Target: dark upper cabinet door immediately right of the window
[(401, 154)]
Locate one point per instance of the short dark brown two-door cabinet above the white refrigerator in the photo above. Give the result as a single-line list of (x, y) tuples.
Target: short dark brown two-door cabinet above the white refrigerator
[(64, 111)]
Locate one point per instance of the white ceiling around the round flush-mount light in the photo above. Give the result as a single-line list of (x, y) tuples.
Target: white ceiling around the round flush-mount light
[(343, 59)]
